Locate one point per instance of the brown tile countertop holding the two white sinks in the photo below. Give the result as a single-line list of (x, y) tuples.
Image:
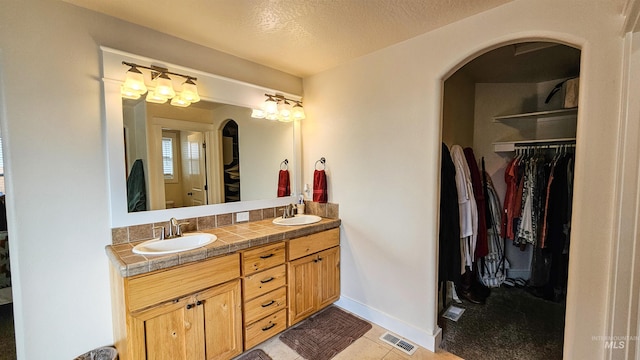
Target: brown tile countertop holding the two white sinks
[(231, 238)]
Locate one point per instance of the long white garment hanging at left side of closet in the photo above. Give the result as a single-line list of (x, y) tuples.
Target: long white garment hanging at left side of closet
[(467, 207)]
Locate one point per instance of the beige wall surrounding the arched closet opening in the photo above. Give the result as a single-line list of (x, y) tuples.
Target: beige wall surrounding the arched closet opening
[(377, 121)]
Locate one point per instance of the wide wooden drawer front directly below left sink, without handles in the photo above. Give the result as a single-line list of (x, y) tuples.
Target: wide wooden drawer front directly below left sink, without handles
[(157, 287)]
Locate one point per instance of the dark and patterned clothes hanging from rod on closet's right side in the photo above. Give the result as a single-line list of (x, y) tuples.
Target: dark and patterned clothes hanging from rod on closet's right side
[(540, 215)]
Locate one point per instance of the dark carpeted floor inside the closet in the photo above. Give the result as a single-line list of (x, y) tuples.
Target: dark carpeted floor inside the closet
[(513, 324)]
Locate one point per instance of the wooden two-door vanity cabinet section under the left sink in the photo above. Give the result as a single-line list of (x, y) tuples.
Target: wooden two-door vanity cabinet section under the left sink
[(189, 312)]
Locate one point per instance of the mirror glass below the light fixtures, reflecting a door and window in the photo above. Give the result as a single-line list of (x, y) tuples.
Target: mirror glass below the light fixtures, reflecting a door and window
[(206, 153)]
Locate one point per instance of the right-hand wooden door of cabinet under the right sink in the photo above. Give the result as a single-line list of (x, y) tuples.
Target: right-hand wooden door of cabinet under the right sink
[(328, 277)]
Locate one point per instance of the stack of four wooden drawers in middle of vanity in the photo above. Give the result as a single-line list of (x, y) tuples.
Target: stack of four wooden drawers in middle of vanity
[(264, 293)]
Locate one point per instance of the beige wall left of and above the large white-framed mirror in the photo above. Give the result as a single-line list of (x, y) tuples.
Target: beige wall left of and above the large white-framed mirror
[(53, 133)]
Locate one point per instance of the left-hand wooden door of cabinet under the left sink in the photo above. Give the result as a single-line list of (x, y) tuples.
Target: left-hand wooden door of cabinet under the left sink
[(168, 331)]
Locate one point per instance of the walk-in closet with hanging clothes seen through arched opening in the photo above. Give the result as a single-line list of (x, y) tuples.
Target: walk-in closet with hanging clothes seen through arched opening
[(508, 143)]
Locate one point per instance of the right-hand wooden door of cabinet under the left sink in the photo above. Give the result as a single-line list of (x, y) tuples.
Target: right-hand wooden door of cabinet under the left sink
[(222, 312)]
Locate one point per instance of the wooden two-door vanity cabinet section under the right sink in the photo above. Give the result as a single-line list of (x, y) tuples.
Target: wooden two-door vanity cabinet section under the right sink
[(314, 273)]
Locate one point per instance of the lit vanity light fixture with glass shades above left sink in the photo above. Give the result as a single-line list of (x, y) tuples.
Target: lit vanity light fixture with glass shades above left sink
[(134, 86)]
